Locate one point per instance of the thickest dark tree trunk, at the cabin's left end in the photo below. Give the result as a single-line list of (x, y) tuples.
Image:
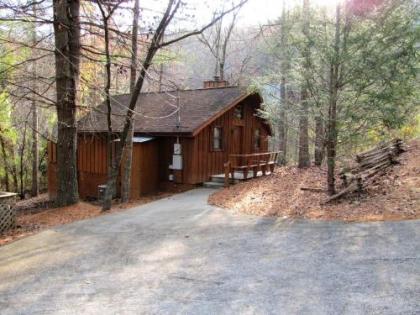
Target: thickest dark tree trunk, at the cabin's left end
[(67, 53)]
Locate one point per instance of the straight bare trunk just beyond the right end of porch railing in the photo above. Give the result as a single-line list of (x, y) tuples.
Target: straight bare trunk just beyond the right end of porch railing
[(304, 159)]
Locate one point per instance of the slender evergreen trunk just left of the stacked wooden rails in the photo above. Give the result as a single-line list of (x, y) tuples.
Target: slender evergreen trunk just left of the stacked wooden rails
[(332, 108)]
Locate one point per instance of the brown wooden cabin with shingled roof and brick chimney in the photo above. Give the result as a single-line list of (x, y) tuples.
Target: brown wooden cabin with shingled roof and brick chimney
[(181, 136)]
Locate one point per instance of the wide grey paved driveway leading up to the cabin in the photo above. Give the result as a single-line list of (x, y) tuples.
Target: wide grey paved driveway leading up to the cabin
[(181, 256)]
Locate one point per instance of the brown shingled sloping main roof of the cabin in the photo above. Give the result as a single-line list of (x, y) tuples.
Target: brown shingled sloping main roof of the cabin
[(156, 113)]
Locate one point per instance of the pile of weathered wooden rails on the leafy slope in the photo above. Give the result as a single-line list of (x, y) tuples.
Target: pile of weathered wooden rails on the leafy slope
[(370, 165)]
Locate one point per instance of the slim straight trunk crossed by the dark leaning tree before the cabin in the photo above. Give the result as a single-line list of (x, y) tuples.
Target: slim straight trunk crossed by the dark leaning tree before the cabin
[(128, 154)]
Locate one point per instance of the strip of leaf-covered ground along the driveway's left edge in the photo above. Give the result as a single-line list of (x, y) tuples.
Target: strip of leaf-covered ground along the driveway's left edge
[(36, 214)]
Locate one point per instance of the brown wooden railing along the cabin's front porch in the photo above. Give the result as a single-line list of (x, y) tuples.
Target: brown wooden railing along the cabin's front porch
[(254, 162)]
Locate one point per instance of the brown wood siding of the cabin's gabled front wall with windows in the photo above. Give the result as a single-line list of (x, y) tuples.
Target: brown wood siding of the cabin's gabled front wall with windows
[(201, 161)]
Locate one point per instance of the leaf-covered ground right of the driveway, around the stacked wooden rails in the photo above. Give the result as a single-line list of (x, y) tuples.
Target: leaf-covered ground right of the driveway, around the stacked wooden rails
[(394, 196)]
